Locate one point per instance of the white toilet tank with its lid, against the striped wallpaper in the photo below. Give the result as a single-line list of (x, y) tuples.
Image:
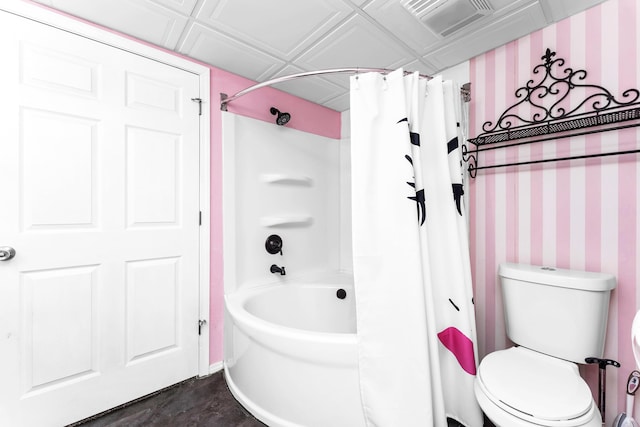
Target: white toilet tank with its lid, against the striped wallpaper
[(562, 313)]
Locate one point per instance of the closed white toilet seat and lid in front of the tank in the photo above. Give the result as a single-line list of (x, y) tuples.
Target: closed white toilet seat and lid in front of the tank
[(535, 388)]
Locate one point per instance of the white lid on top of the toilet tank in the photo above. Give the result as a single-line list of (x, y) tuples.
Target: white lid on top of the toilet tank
[(574, 279)]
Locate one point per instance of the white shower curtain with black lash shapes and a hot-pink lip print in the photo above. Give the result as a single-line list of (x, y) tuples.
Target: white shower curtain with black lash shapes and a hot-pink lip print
[(415, 316)]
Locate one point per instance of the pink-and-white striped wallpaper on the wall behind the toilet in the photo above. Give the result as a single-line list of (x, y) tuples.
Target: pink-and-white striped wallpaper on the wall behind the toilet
[(580, 214)]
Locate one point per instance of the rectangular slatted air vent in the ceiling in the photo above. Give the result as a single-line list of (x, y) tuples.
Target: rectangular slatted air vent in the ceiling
[(445, 17)]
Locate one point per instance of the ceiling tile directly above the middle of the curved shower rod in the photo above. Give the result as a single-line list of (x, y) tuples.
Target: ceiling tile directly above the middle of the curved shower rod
[(356, 43)]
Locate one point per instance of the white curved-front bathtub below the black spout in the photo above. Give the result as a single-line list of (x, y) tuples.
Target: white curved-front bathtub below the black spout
[(290, 353)]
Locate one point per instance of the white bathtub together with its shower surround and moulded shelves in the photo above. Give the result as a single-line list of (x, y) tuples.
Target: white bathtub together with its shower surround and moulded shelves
[(290, 353)]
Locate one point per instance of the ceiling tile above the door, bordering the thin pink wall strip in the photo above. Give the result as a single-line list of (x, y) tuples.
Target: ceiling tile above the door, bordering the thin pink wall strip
[(160, 25)]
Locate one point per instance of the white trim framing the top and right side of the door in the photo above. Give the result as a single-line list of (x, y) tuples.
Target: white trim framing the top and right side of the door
[(56, 19)]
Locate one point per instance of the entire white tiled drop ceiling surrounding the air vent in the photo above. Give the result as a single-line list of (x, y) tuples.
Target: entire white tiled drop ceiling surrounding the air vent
[(264, 39)]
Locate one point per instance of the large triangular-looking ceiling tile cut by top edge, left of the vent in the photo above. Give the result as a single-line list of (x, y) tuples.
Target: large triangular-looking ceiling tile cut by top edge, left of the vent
[(282, 28)]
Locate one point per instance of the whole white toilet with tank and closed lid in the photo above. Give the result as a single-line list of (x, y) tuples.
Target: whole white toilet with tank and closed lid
[(556, 318)]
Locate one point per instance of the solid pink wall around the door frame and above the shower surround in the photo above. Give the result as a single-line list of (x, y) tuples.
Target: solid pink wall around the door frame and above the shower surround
[(305, 116)]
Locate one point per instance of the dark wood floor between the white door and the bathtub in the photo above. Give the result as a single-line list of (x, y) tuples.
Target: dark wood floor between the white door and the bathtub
[(193, 403)]
